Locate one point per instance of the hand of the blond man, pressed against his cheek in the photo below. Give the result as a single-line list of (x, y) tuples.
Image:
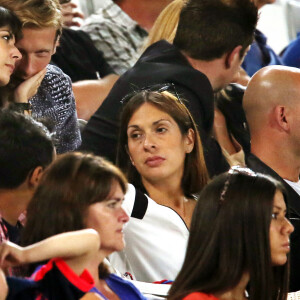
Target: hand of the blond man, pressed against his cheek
[(29, 87)]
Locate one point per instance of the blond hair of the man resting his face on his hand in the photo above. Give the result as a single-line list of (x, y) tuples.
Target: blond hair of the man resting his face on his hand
[(36, 13)]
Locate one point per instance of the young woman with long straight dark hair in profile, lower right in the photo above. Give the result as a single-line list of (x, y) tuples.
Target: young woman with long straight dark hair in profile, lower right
[(239, 241)]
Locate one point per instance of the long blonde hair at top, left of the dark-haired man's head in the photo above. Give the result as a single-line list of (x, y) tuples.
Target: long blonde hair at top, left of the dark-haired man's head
[(165, 25)]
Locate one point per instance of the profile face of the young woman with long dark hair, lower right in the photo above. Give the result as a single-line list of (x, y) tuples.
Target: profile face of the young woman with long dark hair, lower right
[(280, 230)]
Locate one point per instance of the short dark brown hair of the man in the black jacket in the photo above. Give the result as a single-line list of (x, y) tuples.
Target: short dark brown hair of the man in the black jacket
[(207, 29)]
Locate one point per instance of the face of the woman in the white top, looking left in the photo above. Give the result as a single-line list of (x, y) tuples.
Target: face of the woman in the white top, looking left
[(156, 145)]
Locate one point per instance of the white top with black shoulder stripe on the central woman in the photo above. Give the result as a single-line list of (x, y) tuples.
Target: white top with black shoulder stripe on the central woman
[(156, 239)]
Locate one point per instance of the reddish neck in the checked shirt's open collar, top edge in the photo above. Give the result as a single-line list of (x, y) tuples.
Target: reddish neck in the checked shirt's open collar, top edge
[(144, 12)]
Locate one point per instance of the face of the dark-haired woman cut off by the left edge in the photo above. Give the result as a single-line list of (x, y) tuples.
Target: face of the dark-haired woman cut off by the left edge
[(9, 54)]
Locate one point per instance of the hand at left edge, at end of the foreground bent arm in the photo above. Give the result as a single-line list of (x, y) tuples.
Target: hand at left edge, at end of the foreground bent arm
[(10, 255)]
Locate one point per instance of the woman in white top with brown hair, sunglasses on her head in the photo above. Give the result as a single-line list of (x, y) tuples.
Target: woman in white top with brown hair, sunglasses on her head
[(161, 153)]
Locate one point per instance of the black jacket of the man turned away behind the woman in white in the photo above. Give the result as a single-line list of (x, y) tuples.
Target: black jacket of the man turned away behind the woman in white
[(160, 63)]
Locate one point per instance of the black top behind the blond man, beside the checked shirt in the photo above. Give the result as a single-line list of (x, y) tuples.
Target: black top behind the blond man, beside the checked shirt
[(77, 56)]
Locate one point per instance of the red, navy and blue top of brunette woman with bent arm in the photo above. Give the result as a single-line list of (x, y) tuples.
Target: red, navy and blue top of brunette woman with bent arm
[(57, 281)]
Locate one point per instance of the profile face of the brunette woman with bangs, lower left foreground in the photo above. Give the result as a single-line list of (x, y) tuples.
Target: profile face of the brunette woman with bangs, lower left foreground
[(108, 219)]
